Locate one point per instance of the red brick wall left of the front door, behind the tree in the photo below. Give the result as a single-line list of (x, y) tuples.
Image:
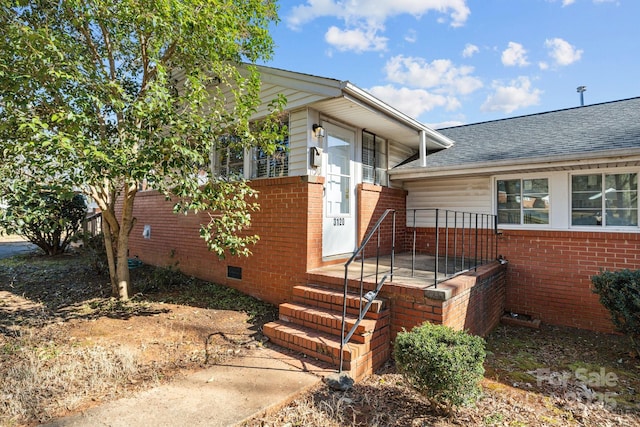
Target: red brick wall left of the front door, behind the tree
[(289, 209)]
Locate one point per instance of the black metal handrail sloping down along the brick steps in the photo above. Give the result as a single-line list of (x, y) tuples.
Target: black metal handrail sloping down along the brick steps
[(371, 295)]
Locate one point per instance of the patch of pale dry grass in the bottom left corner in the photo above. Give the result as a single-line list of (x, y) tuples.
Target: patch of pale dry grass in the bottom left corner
[(47, 377)]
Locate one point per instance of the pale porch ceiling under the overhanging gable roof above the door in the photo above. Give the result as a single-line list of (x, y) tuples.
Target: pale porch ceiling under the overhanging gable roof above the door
[(354, 112)]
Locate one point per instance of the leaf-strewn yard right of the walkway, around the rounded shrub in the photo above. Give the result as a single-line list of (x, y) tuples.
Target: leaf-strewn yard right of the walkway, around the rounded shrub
[(548, 377)]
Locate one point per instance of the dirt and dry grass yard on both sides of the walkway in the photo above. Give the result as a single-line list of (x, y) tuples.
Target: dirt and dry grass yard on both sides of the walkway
[(66, 346)]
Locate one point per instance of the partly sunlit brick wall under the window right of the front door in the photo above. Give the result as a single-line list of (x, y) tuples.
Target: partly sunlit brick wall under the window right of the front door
[(373, 200)]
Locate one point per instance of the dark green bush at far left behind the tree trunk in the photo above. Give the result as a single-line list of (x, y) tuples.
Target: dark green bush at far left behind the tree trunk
[(47, 216)]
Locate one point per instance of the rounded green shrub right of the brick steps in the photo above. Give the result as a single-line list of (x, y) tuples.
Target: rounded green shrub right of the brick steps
[(444, 365)]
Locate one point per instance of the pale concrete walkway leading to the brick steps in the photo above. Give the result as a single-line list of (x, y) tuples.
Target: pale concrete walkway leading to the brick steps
[(222, 395)]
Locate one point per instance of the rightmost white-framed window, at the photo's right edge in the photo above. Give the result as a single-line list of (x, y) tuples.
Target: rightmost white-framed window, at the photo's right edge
[(606, 200)]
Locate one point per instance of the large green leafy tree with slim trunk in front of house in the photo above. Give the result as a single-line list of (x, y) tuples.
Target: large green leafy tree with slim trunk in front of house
[(104, 95)]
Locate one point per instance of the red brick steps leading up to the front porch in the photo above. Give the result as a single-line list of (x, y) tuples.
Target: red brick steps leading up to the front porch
[(312, 323)]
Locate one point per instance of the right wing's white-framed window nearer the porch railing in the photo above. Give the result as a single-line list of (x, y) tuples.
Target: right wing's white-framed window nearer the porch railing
[(523, 201)]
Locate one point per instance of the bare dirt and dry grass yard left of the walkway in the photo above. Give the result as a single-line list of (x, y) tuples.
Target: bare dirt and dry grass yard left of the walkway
[(64, 346)]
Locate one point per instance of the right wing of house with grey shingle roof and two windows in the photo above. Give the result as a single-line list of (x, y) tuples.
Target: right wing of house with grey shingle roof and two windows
[(564, 185)]
